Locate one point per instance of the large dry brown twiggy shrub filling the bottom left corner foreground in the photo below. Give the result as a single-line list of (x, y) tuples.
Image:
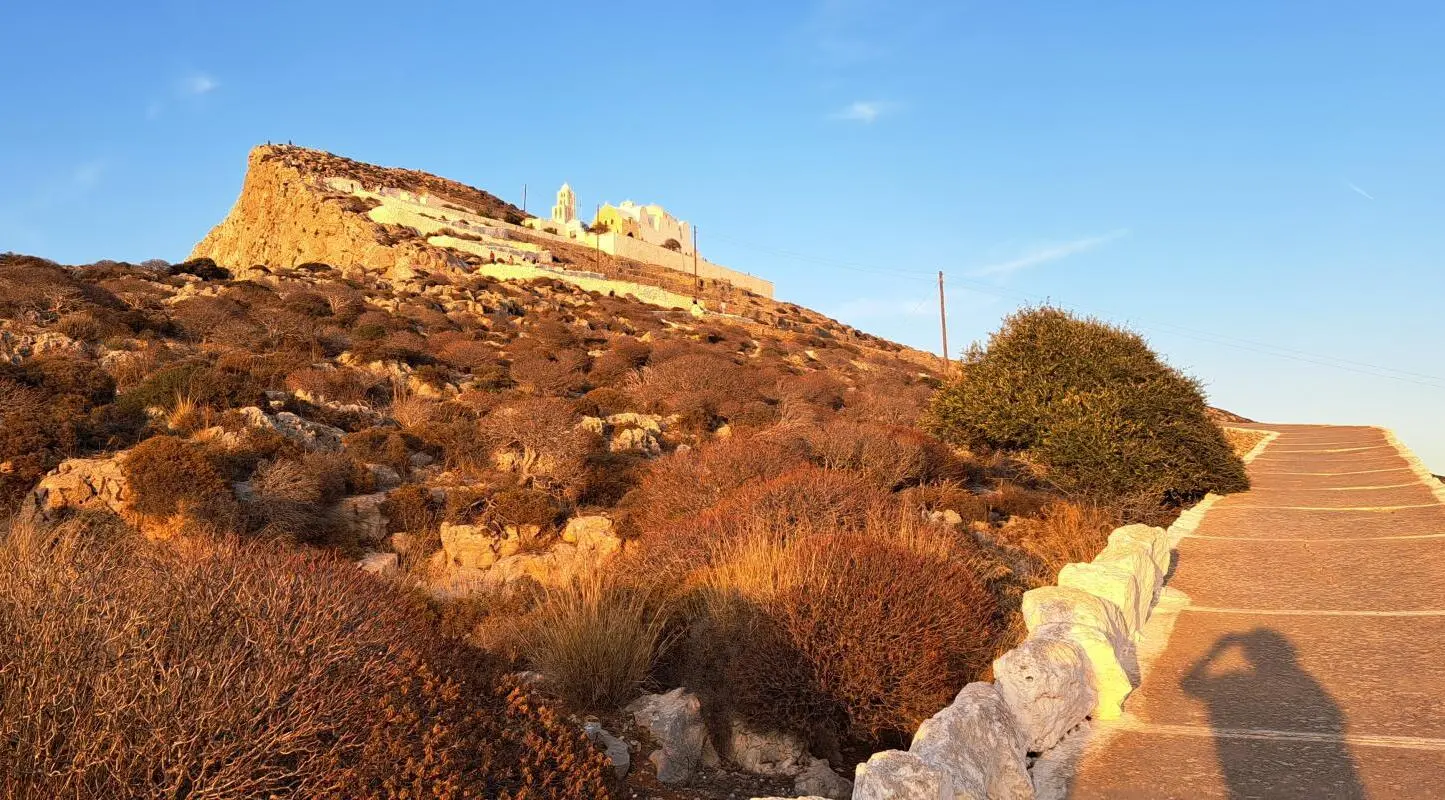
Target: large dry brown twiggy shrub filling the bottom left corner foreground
[(280, 675)]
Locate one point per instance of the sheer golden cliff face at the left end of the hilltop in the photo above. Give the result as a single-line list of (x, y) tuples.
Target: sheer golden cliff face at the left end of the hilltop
[(285, 217)]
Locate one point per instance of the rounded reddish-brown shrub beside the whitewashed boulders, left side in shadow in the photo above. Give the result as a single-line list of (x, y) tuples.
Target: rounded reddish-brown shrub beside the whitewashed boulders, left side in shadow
[(847, 638)]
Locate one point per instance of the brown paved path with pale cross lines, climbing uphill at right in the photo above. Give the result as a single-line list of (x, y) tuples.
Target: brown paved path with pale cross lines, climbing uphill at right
[(1310, 659)]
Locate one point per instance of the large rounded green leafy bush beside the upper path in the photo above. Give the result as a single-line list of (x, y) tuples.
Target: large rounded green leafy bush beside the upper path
[(1095, 405)]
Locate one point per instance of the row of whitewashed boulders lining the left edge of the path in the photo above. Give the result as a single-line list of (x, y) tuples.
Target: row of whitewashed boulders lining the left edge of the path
[(1079, 664)]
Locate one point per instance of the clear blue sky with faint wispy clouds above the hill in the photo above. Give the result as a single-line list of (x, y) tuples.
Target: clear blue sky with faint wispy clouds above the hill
[(1258, 187)]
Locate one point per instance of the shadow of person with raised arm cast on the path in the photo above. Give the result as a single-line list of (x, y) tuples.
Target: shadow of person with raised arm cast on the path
[(1254, 684)]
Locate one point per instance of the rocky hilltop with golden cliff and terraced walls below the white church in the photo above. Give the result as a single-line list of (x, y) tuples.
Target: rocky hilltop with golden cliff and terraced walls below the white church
[(301, 206)]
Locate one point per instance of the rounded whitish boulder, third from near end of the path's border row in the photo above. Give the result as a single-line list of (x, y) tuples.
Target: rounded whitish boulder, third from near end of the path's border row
[(1047, 685)]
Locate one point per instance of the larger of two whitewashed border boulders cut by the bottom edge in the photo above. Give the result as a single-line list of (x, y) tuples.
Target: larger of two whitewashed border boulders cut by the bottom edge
[(979, 746)]
